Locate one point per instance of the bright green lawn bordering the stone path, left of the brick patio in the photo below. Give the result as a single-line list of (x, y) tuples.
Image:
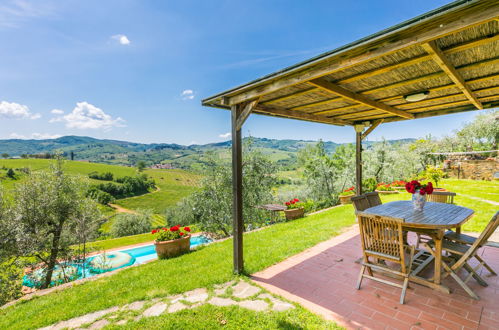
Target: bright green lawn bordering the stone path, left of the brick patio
[(209, 265)]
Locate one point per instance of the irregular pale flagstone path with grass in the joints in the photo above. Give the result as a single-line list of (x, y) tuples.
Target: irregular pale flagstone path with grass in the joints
[(238, 293)]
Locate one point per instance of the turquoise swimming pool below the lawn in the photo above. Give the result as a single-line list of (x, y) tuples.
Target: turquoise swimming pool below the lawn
[(135, 256)]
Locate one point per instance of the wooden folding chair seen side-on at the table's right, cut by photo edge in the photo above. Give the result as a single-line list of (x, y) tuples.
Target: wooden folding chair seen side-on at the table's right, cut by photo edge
[(461, 254)]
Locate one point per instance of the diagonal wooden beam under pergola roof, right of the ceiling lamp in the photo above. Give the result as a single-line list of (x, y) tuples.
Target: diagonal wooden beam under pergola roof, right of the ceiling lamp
[(444, 63)]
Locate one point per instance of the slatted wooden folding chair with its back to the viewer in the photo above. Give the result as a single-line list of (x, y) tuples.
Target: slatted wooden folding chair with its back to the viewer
[(382, 238)]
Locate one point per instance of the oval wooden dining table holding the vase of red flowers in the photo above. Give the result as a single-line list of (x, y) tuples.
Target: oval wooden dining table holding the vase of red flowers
[(433, 220)]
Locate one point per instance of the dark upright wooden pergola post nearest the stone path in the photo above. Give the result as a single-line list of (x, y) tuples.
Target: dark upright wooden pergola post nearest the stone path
[(237, 192)]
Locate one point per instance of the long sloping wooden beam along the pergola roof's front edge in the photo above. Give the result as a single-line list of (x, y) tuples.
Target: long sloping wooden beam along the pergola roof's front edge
[(303, 73)]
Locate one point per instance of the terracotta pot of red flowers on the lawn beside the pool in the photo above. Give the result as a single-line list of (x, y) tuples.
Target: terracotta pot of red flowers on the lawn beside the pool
[(172, 242)]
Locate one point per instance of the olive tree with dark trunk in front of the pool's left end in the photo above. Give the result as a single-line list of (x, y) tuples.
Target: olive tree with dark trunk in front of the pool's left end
[(51, 213)]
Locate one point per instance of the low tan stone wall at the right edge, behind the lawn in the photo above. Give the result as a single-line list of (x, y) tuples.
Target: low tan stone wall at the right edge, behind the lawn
[(473, 169)]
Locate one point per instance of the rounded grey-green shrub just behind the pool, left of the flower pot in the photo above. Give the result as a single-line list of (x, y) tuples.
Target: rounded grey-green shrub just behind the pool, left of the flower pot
[(127, 224)]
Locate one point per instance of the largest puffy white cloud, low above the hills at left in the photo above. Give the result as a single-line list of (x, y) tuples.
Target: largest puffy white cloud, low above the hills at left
[(88, 116)]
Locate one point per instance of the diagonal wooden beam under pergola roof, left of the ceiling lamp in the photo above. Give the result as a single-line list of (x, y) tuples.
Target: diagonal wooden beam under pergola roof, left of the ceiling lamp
[(326, 85)]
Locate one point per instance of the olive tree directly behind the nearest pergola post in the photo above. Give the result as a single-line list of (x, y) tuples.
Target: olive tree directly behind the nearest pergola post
[(211, 206)]
